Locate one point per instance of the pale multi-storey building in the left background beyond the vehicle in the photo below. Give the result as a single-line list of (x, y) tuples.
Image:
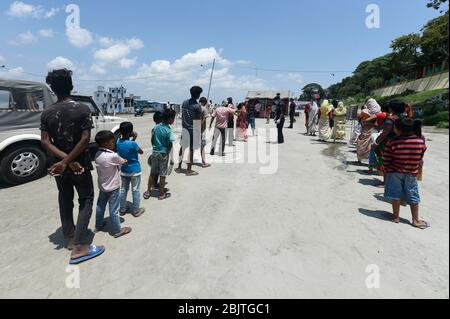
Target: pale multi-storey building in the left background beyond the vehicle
[(115, 100)]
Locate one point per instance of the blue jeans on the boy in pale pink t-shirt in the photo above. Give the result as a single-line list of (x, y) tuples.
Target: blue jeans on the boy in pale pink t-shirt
[(113, 199)]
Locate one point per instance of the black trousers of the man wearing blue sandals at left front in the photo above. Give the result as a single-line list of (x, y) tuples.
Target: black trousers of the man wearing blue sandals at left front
[(83, 184)]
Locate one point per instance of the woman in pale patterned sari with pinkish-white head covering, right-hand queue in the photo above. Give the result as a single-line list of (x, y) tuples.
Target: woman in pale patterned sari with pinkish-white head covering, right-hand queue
[(364, 143)]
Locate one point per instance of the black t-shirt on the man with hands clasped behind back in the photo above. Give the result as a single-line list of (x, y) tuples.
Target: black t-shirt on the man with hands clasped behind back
[(65, 123)]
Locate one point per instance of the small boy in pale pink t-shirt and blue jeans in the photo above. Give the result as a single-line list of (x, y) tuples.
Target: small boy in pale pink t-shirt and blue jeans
[(108, 165)]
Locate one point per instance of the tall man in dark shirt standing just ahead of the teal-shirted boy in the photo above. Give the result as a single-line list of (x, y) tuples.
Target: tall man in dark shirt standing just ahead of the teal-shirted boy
[(191, 112)]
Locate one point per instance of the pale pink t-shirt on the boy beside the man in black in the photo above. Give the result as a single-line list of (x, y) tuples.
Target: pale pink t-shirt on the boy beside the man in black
[(108, 169)]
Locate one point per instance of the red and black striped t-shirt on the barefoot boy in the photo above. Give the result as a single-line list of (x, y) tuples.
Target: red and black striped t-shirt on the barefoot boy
[(404, 154)]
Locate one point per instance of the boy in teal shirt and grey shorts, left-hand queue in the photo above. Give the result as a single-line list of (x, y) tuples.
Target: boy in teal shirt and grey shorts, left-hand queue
[(162, 141)]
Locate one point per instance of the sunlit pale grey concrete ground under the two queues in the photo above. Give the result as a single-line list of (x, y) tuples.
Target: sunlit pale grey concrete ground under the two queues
[(316, 228)]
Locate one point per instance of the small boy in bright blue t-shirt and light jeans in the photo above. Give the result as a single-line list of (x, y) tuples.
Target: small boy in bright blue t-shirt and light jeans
[(128, 149)]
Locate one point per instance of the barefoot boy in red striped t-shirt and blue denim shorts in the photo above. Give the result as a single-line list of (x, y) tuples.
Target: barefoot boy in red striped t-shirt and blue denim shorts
[(403, 158)]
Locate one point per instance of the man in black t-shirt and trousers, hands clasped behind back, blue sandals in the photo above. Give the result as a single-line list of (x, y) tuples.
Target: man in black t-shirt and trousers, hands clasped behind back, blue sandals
[(66, 133)]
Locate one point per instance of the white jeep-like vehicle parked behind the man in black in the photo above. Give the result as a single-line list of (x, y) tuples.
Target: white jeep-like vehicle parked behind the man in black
[(22, 158)]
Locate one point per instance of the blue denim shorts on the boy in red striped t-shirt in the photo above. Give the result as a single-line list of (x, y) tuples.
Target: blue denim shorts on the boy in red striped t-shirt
[(402, 186)]
